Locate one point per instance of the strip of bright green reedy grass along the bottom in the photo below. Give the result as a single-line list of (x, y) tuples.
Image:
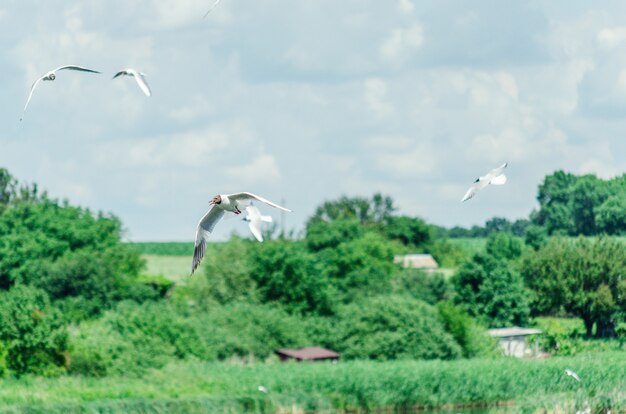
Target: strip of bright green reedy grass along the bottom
[(364, 385)]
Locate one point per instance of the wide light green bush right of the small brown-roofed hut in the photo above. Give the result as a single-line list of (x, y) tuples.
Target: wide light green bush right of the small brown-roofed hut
[(392, 328)]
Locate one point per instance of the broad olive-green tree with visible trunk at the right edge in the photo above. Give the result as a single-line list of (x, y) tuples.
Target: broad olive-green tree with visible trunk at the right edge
[(580, 276)]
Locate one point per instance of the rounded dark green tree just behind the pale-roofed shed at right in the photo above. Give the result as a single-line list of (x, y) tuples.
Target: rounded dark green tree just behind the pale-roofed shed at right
[(491, 288)]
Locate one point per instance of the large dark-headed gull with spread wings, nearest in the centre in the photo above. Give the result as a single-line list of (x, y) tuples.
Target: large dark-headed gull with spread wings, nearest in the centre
[(221, 204)]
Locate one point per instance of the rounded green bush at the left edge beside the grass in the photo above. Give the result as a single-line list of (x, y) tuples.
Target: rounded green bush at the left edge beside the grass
[(31, 332)]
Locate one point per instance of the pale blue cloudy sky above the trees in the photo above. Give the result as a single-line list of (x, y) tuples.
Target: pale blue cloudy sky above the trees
[(305, 101)]
